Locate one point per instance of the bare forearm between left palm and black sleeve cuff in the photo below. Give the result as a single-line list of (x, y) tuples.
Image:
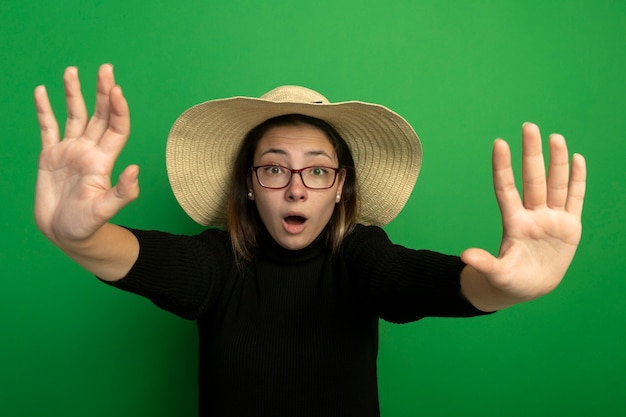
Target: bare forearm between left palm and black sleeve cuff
[(109, 253)]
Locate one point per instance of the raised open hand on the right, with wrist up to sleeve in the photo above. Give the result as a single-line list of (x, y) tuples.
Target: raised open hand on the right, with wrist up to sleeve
[(541, 231)]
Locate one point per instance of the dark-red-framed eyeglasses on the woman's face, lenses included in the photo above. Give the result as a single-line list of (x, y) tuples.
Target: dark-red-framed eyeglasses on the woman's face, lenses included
[(277, 176)]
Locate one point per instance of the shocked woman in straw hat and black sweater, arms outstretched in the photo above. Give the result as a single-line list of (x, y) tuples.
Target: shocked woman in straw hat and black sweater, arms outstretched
[(288, 291)]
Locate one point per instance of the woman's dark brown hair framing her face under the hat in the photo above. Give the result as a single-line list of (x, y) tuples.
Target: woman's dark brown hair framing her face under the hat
[(243, 220)]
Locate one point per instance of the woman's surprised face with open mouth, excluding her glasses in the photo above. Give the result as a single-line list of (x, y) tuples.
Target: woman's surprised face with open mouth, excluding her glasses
[(295, 215)]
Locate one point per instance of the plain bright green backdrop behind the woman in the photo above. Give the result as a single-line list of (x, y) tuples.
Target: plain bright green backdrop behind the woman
[(462, 72)]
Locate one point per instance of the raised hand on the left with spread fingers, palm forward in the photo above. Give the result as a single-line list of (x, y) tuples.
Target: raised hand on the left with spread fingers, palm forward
[(74, 196)]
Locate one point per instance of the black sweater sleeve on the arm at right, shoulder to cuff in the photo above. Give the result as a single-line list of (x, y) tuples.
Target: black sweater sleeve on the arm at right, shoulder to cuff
[(403, 284)]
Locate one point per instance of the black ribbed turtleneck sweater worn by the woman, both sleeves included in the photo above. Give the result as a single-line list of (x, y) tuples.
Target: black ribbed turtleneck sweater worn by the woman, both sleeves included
[(293, 333)]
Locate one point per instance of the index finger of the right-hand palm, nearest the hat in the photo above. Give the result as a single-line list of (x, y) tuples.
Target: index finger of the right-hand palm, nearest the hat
[(503, 180)]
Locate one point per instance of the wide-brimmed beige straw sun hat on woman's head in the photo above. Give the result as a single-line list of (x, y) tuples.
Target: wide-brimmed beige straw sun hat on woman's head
[(204, 141)]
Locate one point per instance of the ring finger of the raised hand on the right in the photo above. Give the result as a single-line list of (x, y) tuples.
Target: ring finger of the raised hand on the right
[(558, 173)]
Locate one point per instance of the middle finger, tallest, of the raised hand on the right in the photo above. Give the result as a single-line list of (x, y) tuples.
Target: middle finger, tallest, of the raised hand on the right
[(533, 168)]
